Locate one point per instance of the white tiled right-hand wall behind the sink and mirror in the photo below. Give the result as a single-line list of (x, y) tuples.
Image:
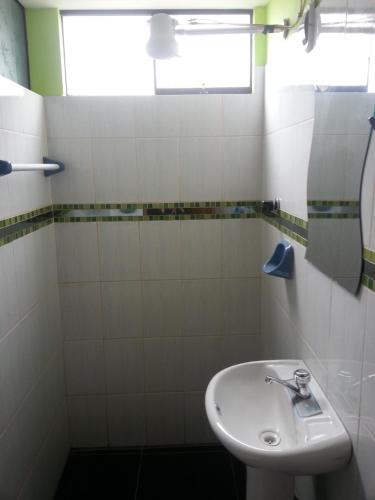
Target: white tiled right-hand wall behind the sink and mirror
[(311, 317)]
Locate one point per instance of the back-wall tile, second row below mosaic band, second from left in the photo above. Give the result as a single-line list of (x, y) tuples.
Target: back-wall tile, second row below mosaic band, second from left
[(122, 309)]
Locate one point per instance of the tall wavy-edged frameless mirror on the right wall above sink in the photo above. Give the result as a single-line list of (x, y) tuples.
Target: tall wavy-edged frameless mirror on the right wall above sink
[(345, 99)]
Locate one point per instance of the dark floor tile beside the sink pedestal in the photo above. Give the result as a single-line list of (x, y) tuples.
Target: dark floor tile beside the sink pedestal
[(186, 475)]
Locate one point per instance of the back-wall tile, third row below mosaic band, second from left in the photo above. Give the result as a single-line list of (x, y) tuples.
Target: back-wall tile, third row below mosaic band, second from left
[(124, 366)]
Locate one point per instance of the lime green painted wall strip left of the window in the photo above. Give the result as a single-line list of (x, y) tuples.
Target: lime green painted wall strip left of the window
[(43, 34)]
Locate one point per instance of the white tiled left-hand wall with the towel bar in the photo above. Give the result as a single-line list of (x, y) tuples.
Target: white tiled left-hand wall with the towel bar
[(32, 390)]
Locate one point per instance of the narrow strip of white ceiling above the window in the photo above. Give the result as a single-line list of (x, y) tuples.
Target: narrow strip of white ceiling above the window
[(144, 4)]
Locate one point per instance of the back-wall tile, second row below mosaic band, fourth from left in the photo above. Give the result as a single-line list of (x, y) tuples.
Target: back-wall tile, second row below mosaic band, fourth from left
[(202, 307)]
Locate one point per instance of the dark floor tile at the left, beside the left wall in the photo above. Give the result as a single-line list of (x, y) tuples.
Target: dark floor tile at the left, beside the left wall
[(100, 476)]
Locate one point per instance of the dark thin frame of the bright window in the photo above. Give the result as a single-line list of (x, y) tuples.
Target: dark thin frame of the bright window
[(150, 12)]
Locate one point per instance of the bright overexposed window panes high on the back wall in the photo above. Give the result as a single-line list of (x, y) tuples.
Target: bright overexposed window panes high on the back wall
[(105, 54)]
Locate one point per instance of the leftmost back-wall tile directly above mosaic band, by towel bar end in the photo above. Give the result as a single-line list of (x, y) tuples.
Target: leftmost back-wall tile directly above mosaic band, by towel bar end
[(76, 183)]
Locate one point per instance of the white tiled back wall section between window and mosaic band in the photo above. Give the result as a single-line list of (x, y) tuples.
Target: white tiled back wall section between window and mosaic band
[(156, 149)]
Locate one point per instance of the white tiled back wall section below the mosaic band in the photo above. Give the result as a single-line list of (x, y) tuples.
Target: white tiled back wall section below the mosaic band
[(192, 312)]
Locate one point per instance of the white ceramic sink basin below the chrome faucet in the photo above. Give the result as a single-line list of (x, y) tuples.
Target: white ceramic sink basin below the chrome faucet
[(260, 425)]
